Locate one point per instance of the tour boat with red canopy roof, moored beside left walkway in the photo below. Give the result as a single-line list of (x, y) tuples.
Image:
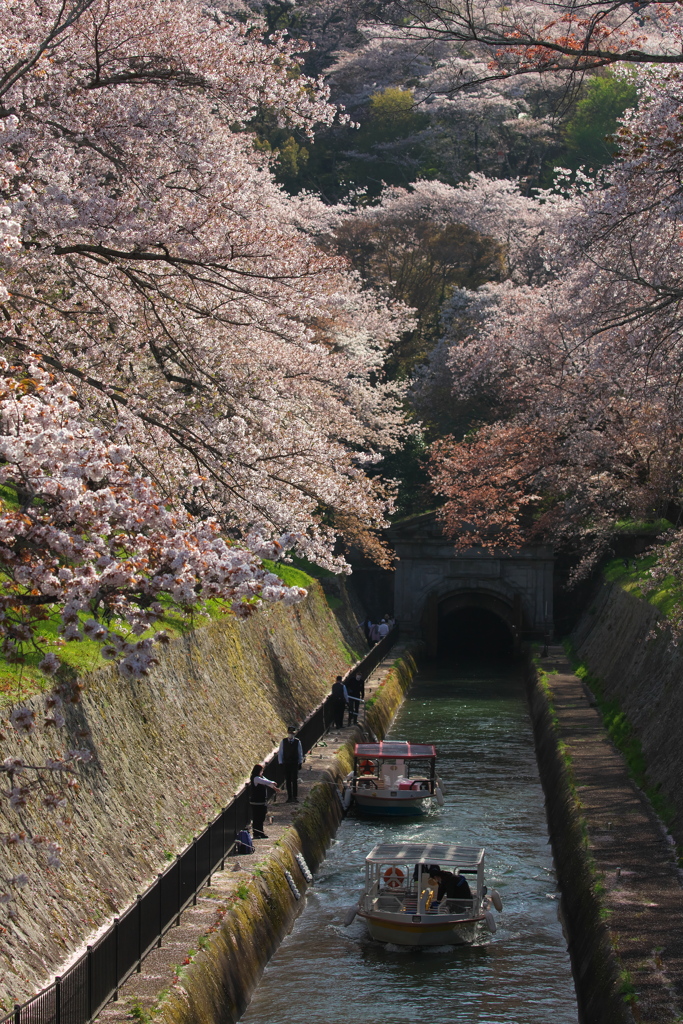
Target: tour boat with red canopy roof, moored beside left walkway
[(394, 778)]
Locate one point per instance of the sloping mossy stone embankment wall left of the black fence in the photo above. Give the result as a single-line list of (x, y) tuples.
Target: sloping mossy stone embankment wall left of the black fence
[(170, 751)]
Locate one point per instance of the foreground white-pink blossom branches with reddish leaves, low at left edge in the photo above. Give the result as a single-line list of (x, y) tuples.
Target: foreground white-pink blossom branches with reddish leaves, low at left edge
[(94, 540)]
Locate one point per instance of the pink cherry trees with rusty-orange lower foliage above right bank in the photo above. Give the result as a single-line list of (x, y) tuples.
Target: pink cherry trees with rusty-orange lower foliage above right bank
[(584, 369)]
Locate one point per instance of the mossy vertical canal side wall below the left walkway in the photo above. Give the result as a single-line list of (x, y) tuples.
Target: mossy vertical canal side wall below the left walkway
[(217, 986)]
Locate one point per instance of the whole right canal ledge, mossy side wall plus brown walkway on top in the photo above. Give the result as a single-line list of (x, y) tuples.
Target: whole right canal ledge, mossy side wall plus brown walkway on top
[(622, 899)]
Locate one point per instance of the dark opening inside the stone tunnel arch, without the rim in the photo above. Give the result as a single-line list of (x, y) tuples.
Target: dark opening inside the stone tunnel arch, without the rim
[(472, 632)]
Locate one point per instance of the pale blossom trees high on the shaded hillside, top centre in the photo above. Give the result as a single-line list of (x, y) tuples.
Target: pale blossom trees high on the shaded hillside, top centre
[(503, 129)]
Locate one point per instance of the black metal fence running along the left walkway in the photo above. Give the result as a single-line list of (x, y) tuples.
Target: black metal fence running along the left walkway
[(89, 986)]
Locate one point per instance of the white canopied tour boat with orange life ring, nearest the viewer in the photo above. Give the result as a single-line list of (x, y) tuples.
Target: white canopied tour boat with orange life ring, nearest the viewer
[(401, 906)]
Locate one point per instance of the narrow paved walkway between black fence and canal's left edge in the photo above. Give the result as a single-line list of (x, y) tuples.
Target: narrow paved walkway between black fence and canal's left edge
[(162, 968)]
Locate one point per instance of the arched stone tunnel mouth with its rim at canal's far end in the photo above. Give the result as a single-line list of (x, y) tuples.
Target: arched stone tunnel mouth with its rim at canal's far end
[(484, 616)]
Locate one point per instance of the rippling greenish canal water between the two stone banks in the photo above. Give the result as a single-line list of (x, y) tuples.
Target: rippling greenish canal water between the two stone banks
[(327, 974)]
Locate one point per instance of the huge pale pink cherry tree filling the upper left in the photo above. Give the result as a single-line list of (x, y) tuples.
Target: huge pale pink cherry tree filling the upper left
[(154, 269)]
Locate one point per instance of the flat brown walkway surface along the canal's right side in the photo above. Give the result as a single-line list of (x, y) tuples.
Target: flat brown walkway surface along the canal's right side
[(644, 899)]
